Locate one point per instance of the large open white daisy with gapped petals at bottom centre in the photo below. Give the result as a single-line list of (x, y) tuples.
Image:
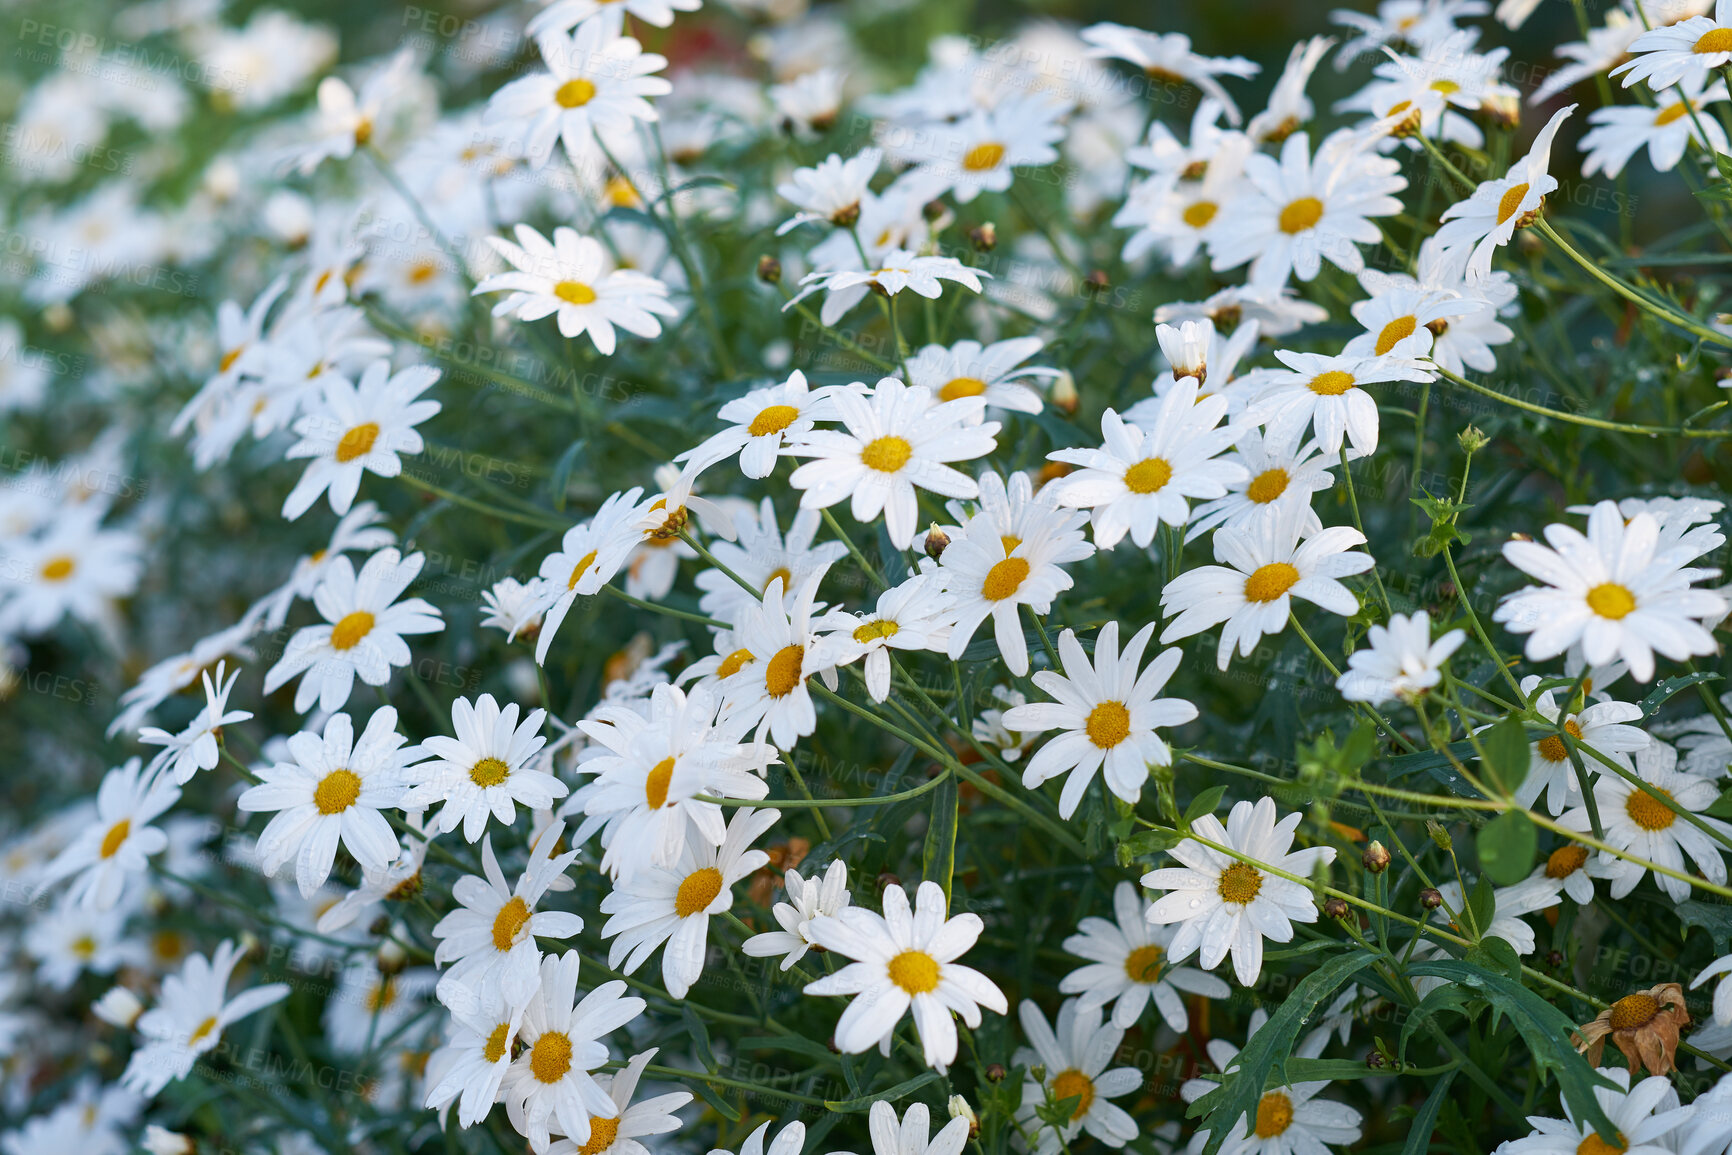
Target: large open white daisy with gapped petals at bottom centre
[(907, 960)]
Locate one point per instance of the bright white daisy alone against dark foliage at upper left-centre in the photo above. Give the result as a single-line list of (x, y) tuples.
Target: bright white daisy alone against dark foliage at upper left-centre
[(576, 281)]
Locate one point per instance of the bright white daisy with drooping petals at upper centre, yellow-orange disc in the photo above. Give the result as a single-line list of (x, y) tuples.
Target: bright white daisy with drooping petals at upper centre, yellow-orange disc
[(895, 441)]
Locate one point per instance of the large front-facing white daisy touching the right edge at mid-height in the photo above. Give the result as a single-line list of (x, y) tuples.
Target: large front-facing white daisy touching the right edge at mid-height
[(1612, 591)]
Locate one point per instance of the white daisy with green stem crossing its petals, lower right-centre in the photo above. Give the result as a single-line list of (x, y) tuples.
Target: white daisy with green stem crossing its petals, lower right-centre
[(1229, 907)]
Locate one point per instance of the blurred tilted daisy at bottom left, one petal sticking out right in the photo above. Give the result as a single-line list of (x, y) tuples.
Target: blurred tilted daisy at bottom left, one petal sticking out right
[(191, 1017)]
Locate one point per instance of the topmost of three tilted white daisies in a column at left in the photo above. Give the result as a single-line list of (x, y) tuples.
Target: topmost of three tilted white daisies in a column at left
[(359, 429)]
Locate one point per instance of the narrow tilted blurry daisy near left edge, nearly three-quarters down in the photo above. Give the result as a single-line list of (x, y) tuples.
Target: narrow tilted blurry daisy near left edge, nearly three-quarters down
[(119, 841)]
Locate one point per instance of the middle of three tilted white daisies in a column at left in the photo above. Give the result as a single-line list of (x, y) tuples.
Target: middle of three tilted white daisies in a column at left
[(363, 635)]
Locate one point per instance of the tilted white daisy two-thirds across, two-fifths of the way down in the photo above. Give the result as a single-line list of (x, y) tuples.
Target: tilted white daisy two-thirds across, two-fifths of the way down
[(1146, 477)]
